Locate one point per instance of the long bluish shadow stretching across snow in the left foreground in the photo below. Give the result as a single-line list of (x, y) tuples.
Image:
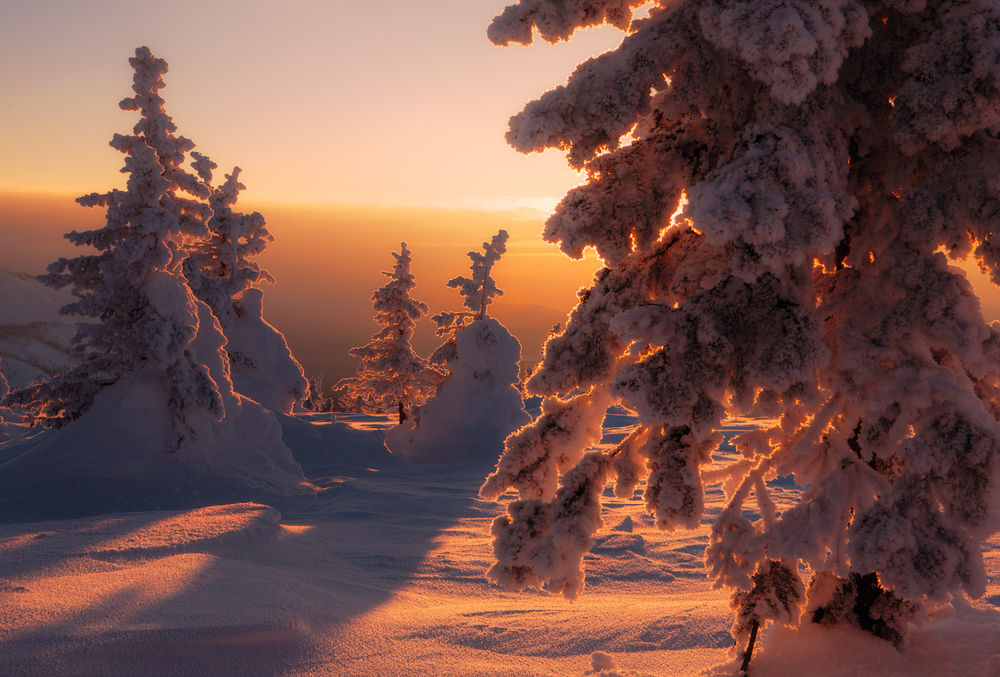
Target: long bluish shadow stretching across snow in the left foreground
[(260, 605)]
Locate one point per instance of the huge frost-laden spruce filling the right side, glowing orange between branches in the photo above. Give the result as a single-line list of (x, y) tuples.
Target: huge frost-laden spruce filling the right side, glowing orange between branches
[(774, 188)]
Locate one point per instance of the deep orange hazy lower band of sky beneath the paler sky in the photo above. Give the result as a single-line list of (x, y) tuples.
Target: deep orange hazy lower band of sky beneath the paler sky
[(327, 261)]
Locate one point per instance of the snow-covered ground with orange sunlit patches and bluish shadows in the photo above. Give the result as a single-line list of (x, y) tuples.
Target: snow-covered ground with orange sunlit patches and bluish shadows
[(381, 572)]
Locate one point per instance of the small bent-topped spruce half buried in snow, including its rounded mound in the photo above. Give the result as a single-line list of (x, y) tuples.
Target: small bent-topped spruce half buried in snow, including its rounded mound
[(478, 404)]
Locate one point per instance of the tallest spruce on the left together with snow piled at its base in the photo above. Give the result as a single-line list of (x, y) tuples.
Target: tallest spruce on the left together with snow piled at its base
[(155, 375)]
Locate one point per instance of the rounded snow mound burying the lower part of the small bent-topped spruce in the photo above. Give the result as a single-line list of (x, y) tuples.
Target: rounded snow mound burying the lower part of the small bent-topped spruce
[(476, 407)]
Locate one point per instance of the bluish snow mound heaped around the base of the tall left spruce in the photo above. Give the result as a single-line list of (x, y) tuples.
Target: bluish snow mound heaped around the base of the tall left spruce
[(116, 458)]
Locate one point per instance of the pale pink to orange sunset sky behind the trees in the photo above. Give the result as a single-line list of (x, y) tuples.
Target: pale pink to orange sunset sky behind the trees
[(357, 125)]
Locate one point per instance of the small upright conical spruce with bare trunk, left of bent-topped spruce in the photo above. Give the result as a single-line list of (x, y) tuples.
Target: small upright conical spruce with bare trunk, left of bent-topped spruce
[(391, 376)]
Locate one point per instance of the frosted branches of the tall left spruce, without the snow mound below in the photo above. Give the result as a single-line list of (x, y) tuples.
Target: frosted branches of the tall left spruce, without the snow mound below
[(143, 310)]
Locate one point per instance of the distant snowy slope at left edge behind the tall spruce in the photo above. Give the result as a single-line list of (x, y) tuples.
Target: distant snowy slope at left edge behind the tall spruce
[(34, 338)]
